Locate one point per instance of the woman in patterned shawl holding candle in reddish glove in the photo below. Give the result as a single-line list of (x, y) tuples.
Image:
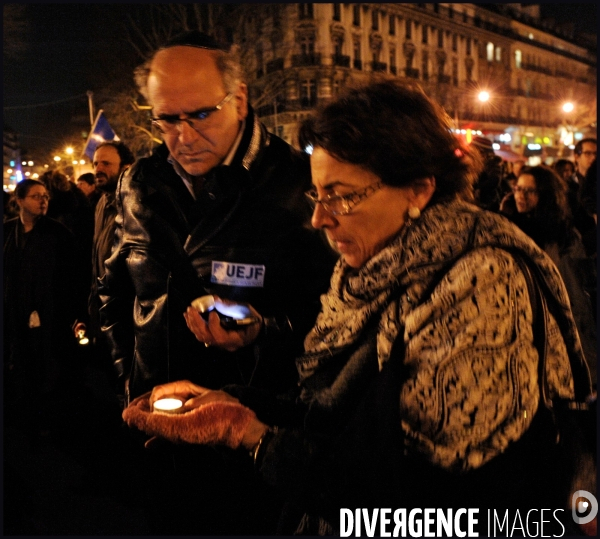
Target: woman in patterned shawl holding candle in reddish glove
[(418, 385)]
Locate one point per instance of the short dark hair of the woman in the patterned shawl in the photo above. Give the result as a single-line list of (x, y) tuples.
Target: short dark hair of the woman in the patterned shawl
[(395, 131)]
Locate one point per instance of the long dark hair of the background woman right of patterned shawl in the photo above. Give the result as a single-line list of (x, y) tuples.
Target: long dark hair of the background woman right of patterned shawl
[(552, 212)]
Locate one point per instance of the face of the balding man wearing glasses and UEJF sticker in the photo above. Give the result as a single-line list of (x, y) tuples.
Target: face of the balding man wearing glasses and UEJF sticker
[(185, 80)]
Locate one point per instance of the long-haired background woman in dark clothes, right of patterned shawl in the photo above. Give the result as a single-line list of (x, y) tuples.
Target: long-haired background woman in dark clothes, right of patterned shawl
[(539, 207)]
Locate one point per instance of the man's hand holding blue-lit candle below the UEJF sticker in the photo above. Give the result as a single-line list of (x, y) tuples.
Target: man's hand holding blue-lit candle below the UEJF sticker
[(212, 333)]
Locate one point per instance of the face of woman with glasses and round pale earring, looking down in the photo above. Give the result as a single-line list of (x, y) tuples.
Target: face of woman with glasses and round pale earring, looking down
[(377, 211)]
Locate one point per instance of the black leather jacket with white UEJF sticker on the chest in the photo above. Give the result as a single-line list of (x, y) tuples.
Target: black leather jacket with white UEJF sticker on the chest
[(253, 218)]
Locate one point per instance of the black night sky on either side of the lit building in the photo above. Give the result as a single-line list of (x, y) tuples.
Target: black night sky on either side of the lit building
[(72, 48)]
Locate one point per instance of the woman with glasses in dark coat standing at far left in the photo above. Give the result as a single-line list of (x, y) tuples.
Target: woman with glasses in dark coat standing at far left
[(41, 290)]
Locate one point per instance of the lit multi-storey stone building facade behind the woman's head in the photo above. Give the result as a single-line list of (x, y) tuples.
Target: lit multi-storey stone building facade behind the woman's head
[(299, 55)]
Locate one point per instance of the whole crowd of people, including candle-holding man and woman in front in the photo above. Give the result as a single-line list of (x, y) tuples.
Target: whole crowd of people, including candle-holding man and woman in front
[(391, 342)]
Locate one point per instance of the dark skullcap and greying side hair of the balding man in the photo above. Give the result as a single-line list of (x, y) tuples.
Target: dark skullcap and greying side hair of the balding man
[(227, 59)]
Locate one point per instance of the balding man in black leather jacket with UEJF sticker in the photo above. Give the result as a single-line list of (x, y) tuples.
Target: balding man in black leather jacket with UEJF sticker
[(217, 209)]
